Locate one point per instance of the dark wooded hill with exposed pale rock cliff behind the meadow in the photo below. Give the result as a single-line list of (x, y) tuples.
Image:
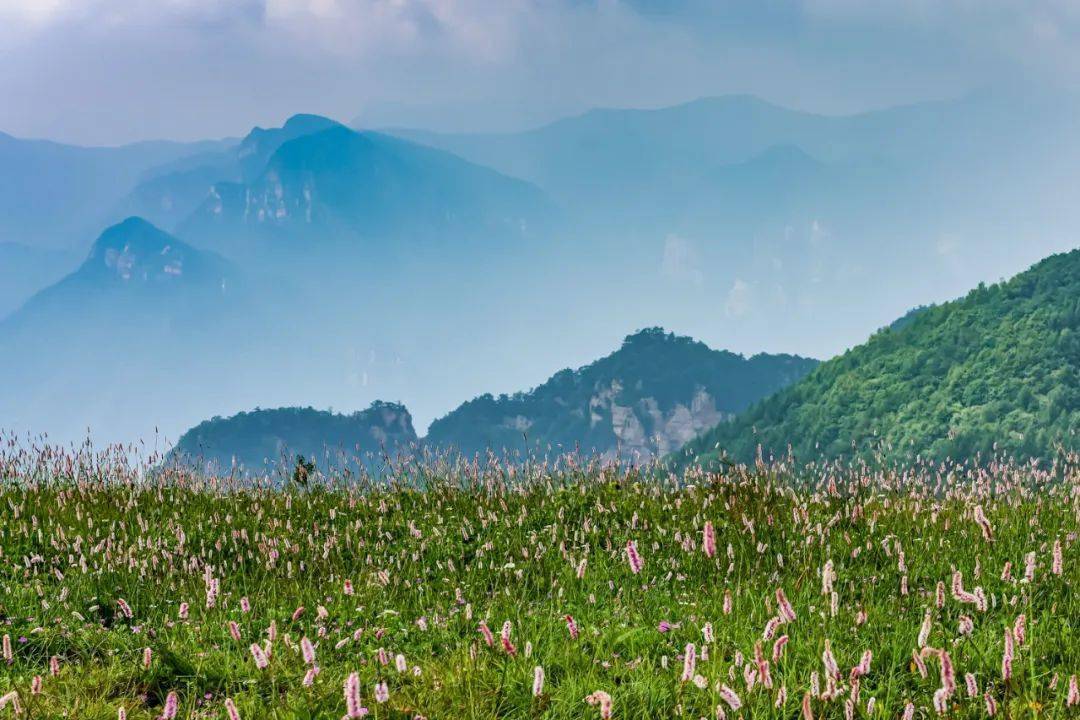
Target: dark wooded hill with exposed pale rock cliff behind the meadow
[(650, 398)]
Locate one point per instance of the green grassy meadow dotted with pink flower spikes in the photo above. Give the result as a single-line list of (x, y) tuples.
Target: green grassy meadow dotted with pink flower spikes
[(544, 591)]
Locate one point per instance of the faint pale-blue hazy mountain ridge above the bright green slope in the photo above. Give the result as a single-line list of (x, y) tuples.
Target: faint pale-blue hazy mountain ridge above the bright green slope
[(778, 218)]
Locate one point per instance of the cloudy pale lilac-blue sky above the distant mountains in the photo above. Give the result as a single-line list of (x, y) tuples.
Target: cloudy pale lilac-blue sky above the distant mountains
[(113, 72)]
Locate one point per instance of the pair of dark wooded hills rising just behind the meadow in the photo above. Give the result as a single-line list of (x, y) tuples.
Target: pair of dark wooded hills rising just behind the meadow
[(647, 399)]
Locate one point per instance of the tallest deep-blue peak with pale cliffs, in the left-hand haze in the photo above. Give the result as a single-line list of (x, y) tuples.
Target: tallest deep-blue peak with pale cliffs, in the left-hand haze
[(340, 191)]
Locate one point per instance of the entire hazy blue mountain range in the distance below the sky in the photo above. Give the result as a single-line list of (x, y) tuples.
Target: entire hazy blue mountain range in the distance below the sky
[(364, 266)]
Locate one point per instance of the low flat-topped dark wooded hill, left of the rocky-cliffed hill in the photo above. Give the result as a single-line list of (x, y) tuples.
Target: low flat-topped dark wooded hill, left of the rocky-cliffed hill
[(268, 442)]
